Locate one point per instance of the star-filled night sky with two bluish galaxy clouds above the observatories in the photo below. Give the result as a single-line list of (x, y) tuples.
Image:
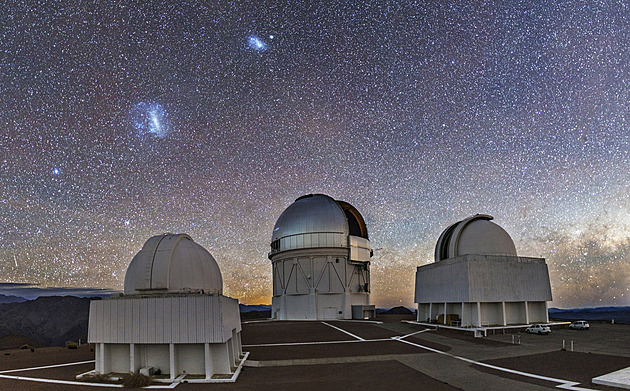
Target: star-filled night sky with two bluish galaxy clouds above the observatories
[(123, 120)]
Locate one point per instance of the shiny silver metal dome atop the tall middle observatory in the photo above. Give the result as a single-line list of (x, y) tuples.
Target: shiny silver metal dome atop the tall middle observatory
[(317, 220)]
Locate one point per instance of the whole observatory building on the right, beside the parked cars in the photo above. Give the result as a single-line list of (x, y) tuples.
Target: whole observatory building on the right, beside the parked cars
[(478, 280)]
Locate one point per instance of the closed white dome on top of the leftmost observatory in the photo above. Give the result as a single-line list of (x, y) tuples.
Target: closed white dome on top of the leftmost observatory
[(173, 263)]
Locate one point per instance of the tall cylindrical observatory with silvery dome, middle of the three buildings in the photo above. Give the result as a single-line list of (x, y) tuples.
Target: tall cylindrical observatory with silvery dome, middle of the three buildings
[(320, 253)]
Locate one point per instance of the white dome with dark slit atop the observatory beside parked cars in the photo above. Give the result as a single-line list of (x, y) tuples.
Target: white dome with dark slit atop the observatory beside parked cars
[(474, 235)]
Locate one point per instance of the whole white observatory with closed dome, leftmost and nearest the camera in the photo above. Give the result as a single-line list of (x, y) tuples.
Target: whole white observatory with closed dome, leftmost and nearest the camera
[(172, 316)]
